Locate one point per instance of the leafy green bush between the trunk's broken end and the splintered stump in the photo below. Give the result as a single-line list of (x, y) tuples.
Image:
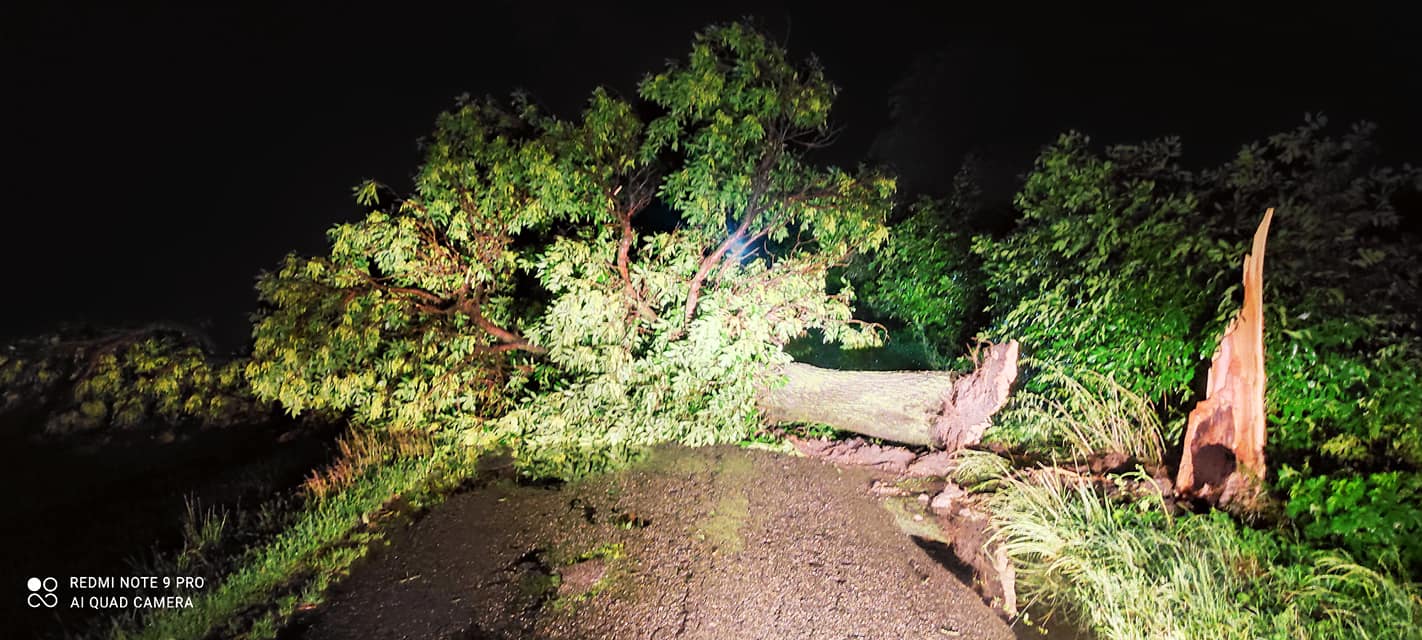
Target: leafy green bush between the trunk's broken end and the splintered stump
[(1108, 268)]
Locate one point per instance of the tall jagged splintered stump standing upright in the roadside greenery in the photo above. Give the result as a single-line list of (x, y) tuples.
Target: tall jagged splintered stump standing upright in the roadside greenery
[(1224, 460)]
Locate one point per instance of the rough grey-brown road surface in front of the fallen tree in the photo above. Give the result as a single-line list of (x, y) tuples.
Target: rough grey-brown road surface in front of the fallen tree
[(692, 544)]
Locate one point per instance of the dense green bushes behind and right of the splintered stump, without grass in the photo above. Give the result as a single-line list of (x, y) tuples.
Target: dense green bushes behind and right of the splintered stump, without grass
[(1126, 262)]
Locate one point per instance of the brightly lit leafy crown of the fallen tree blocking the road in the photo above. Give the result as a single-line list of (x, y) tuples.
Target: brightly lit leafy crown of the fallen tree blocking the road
[(515, 298)]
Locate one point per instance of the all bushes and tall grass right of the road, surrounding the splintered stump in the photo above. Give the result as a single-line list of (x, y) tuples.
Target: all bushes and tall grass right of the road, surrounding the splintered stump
[(1118, 278)]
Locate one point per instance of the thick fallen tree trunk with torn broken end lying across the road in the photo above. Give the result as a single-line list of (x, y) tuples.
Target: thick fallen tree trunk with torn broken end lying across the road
[(934, 409)]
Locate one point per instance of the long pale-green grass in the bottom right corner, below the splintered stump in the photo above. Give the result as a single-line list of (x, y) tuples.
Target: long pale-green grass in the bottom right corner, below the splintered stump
[(1133, 571)]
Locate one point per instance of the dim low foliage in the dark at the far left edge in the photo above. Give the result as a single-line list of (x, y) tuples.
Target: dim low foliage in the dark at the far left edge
[(141, 379)]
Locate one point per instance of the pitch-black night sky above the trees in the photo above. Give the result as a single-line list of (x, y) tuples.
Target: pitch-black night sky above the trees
[(159, 160)]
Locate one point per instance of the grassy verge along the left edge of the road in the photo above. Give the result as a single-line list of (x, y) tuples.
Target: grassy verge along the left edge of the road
[(274, 562)]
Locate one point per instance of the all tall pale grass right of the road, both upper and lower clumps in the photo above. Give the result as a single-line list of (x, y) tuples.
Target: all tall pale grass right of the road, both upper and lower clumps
[(1137, 571)]
